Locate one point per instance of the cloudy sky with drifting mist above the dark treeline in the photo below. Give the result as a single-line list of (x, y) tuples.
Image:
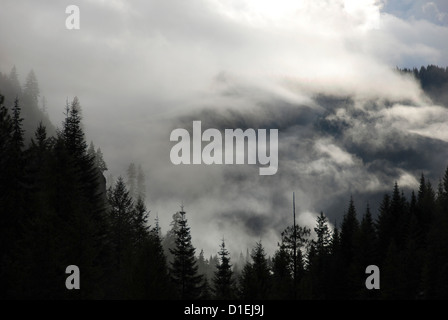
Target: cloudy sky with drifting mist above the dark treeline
[(142, 68)]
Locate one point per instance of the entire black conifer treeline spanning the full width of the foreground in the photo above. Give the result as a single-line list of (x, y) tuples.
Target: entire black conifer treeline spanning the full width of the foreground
[(56, 211)]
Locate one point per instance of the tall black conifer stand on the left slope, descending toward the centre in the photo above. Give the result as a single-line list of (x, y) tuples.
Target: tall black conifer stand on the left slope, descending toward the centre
[(55, 211)]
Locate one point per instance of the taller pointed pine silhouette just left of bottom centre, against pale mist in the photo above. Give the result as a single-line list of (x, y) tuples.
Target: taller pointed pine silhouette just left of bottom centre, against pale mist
[(184, 269)]
